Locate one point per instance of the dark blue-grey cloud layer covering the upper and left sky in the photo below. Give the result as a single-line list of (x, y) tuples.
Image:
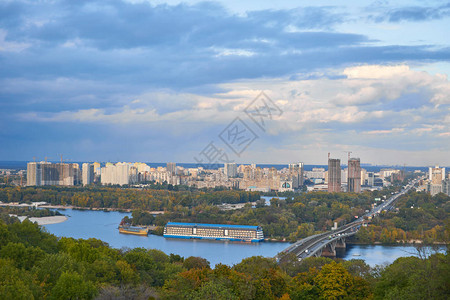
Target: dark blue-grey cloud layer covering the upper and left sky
[(66, 56)]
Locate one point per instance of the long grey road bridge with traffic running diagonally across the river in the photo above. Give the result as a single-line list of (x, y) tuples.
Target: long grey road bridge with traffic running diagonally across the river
[(325, 244)]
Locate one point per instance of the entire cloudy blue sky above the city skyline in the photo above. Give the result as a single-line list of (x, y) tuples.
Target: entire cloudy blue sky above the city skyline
[(222, 81)]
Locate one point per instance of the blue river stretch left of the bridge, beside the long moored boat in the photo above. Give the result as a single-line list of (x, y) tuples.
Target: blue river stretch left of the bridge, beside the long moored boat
[(103, 226)]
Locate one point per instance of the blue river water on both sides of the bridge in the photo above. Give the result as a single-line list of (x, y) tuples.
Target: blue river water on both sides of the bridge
[(103, 225)]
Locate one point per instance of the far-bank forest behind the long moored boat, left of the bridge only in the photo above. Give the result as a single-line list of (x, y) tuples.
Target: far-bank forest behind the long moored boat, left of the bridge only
[(291, 219)]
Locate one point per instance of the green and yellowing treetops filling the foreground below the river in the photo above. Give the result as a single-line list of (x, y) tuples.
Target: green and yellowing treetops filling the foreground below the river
[(37, 265)]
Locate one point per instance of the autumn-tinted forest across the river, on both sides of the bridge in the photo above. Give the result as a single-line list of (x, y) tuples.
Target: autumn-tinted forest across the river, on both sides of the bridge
[(419, 216)]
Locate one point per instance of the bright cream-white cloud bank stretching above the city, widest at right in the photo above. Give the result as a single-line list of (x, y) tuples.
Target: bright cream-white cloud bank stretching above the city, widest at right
[(311, 112)]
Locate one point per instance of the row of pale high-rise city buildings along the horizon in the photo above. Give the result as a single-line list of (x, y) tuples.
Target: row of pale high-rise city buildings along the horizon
[(292, 177)]
